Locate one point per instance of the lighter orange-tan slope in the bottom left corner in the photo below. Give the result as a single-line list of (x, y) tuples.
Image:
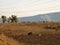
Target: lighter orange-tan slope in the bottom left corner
[(4, 40)]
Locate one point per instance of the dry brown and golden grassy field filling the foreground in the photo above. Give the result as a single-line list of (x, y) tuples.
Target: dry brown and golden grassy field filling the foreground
[(30, 33)]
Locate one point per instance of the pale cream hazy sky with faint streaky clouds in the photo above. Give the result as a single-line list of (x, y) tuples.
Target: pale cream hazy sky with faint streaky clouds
[(28, 7)]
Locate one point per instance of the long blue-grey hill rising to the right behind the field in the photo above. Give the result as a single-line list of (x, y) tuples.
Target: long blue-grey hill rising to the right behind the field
[(42, 17)]
